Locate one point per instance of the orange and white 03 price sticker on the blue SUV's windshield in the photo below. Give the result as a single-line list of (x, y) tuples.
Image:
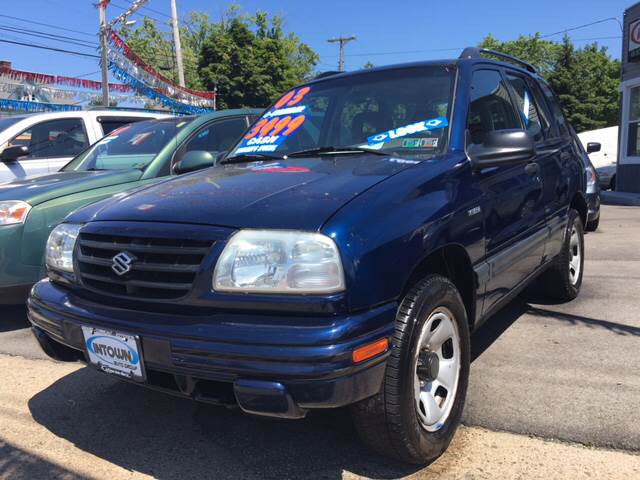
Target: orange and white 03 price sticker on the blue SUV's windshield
[(282, 120)]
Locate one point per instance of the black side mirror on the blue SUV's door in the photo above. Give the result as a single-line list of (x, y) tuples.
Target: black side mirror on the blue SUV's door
[(502, 147)]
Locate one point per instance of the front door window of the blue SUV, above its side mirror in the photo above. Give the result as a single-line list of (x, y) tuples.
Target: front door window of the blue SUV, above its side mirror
[(490, 107)]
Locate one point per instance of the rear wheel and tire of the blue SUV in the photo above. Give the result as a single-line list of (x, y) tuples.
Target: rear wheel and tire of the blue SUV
[(563, 279)]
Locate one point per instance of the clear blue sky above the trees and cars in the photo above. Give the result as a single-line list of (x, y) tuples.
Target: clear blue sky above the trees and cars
[(387, 31)]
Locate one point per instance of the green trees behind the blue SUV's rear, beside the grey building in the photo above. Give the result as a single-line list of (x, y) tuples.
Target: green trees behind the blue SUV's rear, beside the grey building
[(586, 80)]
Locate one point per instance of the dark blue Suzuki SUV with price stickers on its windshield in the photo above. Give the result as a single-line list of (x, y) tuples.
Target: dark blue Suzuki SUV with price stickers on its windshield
[(339, 254)]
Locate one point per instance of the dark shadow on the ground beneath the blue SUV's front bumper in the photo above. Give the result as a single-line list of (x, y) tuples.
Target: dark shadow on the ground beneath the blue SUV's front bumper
[(169, 437)]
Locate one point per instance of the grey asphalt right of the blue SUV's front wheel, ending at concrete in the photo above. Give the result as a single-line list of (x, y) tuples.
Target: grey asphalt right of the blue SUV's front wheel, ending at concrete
[(569, 371)]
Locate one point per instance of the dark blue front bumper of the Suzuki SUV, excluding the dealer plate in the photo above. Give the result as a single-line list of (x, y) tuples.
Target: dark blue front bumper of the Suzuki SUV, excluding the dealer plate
[(267, 364)]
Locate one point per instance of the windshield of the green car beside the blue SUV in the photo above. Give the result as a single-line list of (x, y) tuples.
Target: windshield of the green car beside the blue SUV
[(132, 146)]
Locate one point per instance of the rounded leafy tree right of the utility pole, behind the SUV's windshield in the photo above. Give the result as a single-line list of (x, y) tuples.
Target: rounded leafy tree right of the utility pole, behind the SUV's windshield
[(251, 61)]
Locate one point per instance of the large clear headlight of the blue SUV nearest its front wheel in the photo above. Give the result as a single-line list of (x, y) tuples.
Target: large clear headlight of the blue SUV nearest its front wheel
[(272, 261)]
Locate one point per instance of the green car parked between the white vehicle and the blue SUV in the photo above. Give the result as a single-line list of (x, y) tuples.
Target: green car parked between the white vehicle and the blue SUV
[(132, 156)]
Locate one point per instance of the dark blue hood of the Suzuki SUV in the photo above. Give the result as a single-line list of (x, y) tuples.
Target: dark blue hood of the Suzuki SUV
[(292, 194)]
